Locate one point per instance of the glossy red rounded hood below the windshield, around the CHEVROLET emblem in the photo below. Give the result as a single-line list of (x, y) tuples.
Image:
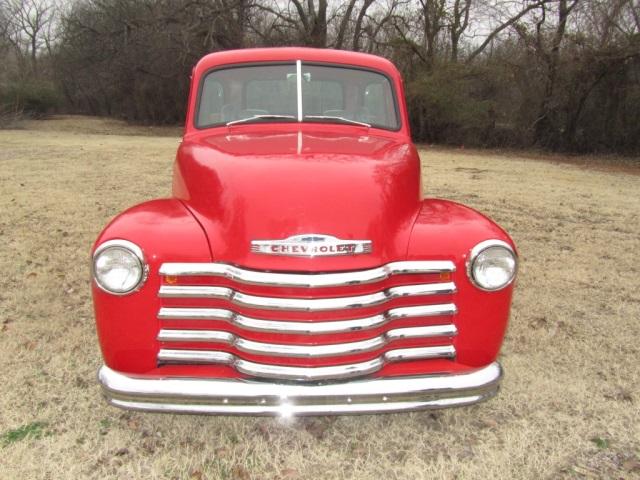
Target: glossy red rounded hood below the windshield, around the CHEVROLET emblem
[(250, 185)]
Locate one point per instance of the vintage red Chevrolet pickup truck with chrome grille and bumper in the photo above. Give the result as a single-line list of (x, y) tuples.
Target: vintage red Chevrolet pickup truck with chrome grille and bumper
[(296, 269)]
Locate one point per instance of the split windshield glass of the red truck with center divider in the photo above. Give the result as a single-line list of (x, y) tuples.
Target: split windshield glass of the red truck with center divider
[(273, 93)]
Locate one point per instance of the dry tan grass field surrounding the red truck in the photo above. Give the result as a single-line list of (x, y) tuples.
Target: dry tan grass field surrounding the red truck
[(570, 403)]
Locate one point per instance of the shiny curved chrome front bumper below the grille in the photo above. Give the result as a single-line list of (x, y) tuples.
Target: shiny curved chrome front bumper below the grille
[(250, 397)]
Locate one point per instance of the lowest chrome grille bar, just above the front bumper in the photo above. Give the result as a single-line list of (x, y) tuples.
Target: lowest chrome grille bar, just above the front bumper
[(283, 372)]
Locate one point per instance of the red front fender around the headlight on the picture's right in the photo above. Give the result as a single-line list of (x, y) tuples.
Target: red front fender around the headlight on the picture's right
[(446, 230)]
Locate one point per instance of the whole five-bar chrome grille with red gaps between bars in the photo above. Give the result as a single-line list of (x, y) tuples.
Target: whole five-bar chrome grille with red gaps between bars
[(273, 331)]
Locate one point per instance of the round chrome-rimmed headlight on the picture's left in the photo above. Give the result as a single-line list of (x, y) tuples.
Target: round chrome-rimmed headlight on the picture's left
[(118, 267)]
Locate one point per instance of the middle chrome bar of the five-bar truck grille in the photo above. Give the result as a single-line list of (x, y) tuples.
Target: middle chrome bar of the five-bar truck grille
[(307, 328)]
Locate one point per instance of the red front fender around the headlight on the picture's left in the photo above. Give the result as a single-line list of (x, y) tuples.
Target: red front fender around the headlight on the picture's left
[(127, 325)]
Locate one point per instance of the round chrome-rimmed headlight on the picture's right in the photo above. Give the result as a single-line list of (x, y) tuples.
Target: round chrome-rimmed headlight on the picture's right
[(492, 265)]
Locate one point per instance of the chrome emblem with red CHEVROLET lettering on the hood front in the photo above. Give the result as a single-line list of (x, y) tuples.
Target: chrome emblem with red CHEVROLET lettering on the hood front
[(311, 245)]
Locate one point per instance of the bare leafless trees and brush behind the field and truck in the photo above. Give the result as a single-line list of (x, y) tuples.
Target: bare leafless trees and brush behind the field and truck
[(562, 75)]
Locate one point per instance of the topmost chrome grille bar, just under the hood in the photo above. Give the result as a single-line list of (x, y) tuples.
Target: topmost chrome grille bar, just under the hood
[(306, 280)]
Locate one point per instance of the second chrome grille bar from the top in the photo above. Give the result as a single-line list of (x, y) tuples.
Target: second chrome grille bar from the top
[(305, 304)]
